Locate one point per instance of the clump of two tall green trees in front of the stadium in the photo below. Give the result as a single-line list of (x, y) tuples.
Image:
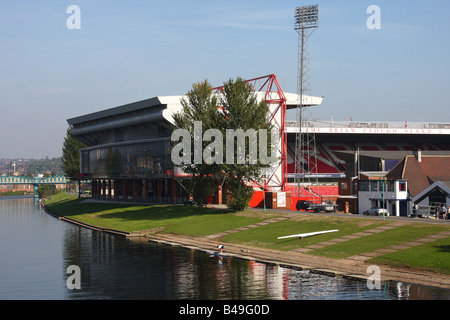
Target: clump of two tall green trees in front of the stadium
[(210, 153)]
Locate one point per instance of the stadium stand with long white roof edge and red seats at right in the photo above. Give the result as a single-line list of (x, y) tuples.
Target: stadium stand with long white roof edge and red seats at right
[(348, 152)]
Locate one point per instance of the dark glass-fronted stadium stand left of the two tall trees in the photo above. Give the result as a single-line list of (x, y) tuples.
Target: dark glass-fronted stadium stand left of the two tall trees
[(127, 155)]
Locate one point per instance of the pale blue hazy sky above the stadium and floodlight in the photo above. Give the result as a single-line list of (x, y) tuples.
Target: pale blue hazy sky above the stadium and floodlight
[(126, 51)]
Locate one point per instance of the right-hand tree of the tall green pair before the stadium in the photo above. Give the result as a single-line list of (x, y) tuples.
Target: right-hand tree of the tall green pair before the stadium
[(243, 112)]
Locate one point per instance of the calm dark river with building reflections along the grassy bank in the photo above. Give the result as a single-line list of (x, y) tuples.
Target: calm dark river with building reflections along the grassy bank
[(37, 249)]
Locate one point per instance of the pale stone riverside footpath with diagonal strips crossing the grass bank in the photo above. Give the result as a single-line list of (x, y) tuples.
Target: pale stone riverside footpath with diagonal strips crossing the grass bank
[(353, 267)]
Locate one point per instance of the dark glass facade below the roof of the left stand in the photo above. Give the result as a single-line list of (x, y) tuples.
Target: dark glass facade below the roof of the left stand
[(139, 171)]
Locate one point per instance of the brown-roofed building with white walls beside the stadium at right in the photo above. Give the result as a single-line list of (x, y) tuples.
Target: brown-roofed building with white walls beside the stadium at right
[(416, 185)]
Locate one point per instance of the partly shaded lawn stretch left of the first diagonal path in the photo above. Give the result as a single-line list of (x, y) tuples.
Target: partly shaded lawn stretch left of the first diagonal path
[(174, 219)]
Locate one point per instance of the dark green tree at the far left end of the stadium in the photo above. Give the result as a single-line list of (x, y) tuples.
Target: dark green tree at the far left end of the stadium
[(71, 156)]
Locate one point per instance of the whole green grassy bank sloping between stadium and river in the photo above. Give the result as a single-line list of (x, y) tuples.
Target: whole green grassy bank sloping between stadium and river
[(194, 221)]
